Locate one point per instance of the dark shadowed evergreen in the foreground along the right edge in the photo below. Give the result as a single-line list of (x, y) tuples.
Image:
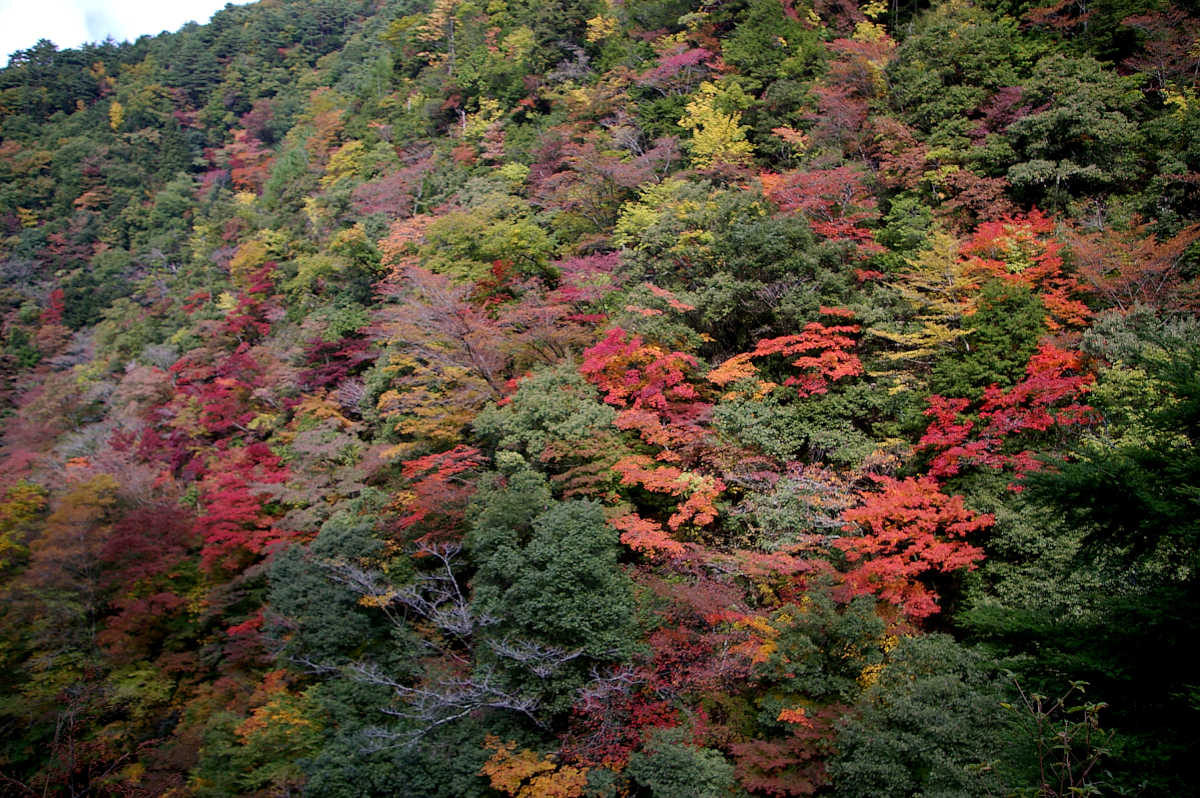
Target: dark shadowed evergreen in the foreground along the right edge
[(1126, 494)]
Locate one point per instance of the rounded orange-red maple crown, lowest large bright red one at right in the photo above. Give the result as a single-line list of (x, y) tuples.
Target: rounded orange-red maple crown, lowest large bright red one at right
[(909, 530)]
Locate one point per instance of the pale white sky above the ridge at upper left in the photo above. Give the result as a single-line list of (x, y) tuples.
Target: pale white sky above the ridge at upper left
[(70, 23)]
